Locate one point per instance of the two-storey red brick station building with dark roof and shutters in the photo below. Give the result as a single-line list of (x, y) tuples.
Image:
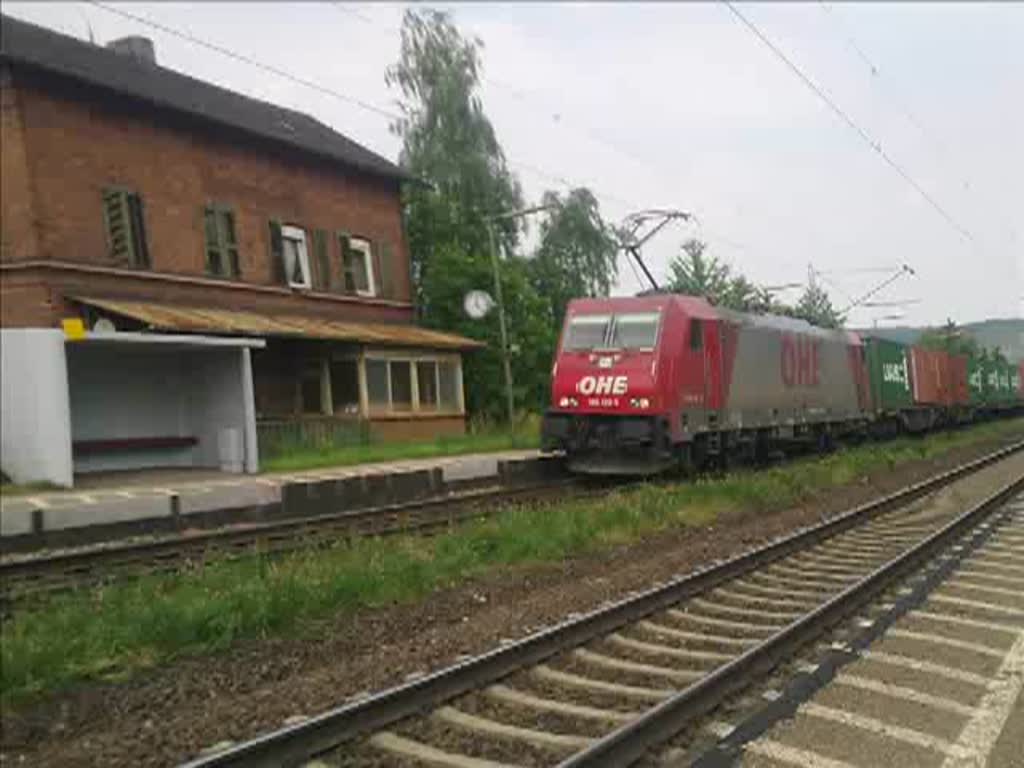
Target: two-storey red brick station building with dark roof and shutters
[(142, 200)]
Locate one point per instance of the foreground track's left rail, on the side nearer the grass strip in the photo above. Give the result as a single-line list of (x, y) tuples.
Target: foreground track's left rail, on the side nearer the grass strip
[(295, 744)]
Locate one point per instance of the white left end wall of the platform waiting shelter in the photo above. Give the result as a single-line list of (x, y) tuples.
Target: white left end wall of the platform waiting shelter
[(35, 433)]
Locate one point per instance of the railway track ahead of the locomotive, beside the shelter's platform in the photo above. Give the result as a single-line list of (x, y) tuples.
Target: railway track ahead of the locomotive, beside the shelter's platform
[(26, 577)]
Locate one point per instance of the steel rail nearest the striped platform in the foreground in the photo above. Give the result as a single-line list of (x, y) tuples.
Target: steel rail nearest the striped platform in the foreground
[(630, 743)]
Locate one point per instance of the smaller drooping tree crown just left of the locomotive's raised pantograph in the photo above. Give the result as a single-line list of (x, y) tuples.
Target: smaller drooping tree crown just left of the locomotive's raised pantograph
[(578, 253)]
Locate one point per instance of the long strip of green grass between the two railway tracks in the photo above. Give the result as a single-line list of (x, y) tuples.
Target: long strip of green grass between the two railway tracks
[(109, 633)]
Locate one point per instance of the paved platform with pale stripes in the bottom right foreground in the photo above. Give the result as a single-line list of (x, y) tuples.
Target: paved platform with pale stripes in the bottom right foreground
[(927, 676)]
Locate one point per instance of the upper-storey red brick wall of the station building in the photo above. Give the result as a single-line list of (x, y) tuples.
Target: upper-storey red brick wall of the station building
[(79, 142)]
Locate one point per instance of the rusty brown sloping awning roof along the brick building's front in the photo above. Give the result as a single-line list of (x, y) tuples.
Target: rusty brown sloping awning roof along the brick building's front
[(209, 320)]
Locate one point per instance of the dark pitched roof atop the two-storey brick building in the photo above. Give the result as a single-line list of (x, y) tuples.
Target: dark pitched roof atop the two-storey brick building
[(27, 45)]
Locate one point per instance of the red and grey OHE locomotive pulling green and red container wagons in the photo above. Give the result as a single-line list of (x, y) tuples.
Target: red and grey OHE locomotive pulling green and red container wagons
[(645, 385)]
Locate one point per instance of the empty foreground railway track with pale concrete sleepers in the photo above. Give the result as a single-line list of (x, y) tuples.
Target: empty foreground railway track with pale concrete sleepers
[(607, 689)]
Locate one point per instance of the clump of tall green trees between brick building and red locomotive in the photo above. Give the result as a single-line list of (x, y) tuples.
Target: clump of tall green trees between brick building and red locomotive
[(450, 145)]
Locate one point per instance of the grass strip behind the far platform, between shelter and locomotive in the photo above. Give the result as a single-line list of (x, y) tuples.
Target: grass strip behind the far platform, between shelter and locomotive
[(480, 441)]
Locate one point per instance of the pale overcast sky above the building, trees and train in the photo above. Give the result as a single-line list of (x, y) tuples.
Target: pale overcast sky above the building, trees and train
[(684, 107)]
